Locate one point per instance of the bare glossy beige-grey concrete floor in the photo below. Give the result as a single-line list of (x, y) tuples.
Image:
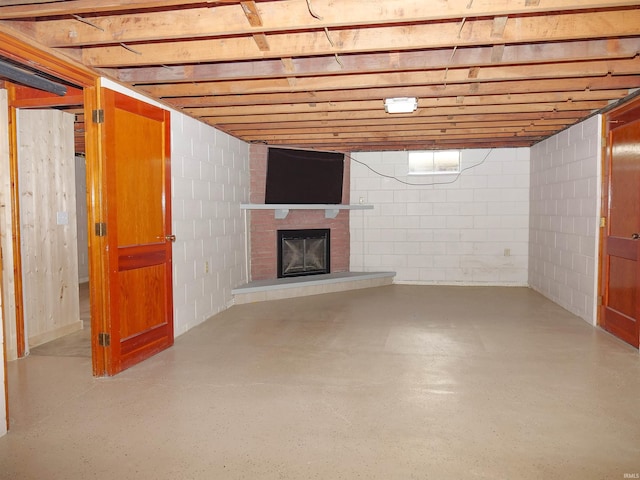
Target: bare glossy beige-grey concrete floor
[(395, 382)]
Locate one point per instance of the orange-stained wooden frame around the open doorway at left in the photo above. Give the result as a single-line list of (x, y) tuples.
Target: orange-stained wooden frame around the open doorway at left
[(21, 50)]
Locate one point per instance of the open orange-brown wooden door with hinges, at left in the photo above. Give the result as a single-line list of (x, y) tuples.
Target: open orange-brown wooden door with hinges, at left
[(138, 231)]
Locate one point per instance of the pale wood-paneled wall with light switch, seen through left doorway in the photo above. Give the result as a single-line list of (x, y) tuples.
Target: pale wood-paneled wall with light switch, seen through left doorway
[(46, 179)]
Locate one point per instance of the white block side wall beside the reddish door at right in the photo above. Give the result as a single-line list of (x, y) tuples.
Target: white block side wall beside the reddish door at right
[(565, 208)]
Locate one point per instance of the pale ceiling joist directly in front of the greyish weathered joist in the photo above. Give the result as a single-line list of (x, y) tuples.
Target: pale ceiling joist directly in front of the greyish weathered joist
[(572, 26)]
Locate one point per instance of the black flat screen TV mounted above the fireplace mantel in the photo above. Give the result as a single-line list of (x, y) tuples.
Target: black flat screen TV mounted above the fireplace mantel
[(304, 177)]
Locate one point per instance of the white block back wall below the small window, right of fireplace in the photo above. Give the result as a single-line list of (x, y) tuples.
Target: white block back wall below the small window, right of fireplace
[(473, 230)]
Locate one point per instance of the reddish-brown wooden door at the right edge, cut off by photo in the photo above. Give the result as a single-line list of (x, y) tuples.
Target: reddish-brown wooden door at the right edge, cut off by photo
[(620, 312)]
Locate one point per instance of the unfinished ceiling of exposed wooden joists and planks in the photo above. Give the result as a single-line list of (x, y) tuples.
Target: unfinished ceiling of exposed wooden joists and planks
[(315, 73)]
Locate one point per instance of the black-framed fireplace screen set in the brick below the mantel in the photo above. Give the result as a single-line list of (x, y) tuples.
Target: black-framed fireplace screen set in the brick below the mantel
[(303, 252)]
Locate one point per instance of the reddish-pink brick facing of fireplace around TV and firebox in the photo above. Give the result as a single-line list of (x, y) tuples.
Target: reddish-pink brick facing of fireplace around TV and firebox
[(263, 225)]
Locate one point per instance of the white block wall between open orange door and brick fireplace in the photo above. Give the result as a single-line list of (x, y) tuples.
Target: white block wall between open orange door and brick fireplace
[(210, 173)]
